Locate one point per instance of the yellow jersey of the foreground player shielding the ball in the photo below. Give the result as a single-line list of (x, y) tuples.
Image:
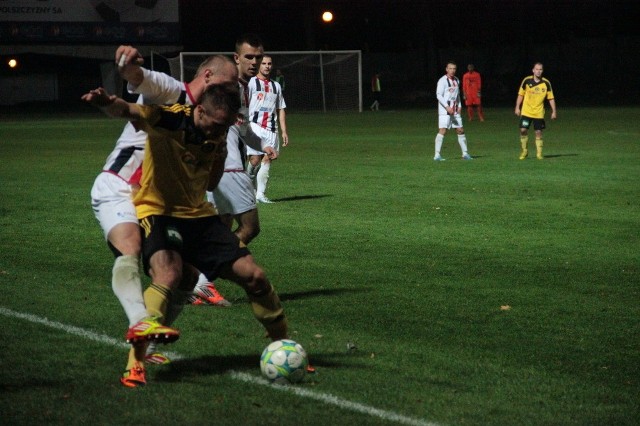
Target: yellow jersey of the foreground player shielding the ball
[(177, 162)]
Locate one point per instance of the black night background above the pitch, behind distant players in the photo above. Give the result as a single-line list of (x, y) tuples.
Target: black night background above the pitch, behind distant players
[(590, 48)]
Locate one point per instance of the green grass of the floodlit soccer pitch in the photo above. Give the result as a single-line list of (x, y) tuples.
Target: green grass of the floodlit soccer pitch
[(492, 291)]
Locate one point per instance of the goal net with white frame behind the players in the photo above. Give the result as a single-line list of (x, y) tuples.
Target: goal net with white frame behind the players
[(314, 80)]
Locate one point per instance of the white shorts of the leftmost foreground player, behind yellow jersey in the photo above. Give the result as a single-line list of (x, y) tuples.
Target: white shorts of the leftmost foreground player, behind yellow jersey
[(111, 202)]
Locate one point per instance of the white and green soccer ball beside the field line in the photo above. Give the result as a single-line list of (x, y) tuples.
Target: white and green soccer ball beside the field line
[(284, 361)]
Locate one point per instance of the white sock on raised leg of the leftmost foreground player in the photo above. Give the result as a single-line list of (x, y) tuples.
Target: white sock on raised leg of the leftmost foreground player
[(127, 286)]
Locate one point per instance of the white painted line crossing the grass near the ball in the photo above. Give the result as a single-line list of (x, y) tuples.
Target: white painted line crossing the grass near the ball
[(244, 377)]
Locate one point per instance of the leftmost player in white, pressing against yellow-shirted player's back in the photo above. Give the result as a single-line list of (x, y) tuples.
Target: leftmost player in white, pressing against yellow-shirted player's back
[(112, 189)]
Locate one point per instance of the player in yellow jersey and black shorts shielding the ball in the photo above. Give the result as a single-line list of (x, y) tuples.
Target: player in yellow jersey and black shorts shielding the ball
[(184, 157)]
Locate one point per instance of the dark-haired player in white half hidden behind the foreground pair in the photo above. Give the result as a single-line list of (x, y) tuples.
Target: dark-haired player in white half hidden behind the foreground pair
[(235, 197)]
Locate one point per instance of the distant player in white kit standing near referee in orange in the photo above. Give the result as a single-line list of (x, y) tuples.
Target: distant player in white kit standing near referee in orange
[(449, 108)]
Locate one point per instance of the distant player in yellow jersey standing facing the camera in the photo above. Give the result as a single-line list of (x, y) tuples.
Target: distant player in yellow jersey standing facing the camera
[(532, 93)]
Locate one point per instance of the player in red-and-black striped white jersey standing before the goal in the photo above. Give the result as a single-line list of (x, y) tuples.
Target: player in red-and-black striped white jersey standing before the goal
[(266, 114)]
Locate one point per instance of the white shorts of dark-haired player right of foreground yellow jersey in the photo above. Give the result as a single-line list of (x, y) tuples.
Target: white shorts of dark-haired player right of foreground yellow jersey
[(234, 194)]
